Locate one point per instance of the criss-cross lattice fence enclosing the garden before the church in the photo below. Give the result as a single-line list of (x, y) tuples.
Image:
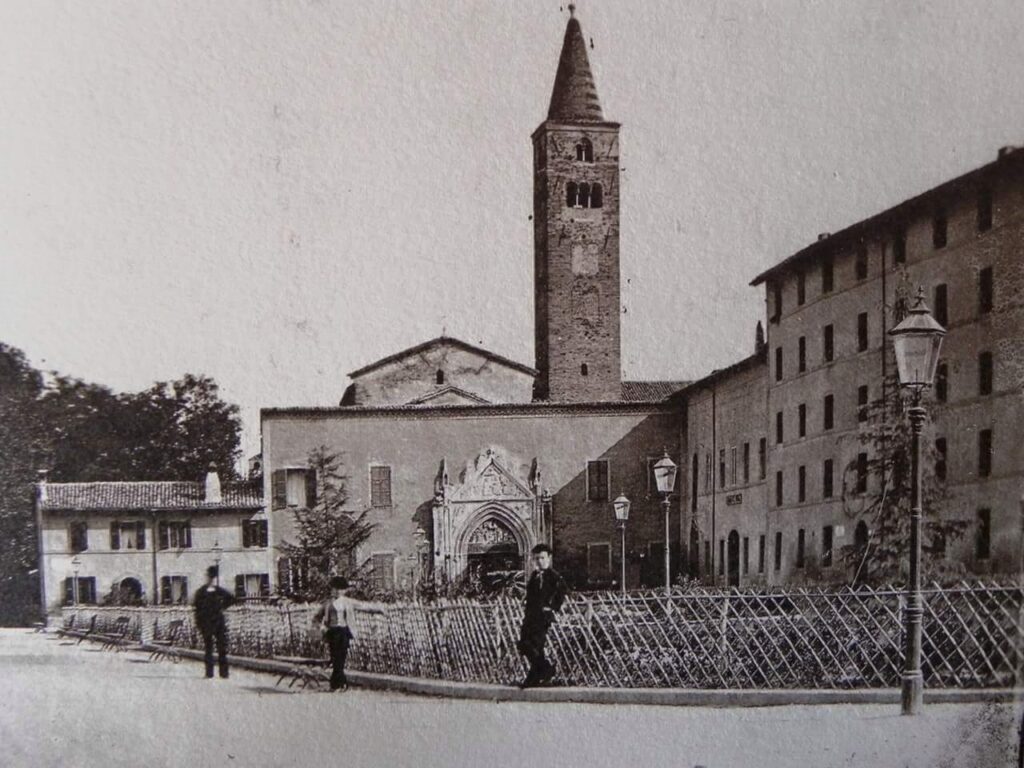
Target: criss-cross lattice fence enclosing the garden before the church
[(704, 638)]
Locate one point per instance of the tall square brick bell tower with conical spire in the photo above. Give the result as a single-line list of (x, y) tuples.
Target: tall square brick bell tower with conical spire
[(576, 238)]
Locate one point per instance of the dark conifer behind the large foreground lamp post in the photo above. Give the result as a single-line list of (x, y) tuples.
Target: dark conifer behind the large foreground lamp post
[(889, 440)]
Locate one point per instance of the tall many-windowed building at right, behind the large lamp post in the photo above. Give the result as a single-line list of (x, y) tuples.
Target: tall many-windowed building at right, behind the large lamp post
[(830, 310)]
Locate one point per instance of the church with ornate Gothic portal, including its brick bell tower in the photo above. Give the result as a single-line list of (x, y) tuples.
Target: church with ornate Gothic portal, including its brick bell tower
[(466, 459)]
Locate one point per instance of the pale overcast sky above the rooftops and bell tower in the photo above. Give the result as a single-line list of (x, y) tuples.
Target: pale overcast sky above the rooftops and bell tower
[(276, 194)]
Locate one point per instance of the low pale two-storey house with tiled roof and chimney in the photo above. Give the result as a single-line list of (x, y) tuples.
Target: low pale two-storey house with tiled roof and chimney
[(149, 542)]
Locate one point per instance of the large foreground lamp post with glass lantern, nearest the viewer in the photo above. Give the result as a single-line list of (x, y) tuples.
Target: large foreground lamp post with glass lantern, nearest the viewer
[(917, 342)]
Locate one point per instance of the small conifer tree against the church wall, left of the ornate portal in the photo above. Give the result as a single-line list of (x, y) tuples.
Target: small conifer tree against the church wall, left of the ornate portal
[(327, 534)]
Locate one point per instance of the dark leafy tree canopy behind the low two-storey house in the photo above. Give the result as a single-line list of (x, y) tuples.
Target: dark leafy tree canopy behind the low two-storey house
[(80, 432)]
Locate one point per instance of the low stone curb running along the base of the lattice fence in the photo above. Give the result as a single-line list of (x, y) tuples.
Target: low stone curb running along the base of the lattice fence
[(646, 697)]
